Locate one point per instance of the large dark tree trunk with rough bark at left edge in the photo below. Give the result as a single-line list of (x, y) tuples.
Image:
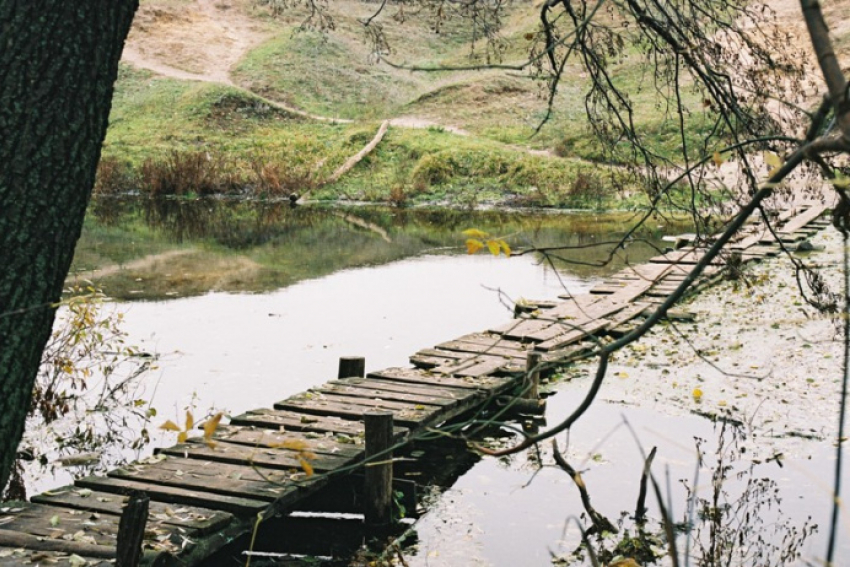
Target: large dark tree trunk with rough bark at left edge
[(58, 65)]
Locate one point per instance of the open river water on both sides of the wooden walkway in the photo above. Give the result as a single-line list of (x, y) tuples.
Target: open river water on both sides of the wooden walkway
[(245, 305)]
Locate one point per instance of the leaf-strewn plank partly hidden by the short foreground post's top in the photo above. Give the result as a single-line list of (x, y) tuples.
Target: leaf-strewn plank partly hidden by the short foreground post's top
[(199, 520)]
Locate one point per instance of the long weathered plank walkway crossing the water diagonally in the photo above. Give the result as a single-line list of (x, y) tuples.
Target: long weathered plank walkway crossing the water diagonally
[(202, 497)]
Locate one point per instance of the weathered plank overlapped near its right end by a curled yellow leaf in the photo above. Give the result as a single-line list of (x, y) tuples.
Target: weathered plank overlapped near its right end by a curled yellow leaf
[(263, 457)]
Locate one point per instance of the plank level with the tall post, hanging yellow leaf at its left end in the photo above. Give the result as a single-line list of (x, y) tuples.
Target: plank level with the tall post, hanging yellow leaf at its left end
[(319, 443)]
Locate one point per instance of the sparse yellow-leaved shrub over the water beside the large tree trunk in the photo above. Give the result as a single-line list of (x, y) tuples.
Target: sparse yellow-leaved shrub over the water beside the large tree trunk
[(87, 407)]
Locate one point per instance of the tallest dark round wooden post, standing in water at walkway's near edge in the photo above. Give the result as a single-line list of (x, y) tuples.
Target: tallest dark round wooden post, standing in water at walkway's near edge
[(378, 487)]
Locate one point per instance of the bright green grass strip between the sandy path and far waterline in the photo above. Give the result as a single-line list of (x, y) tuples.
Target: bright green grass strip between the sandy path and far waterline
[(154, 116)]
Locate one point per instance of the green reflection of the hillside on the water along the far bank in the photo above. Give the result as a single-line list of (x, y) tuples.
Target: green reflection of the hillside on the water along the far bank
[(163, 248)]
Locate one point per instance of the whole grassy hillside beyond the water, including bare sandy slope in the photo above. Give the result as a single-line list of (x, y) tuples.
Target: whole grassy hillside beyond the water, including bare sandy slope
[(239, 131)]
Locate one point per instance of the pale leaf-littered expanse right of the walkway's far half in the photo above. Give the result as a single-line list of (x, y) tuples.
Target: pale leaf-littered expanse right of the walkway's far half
[(756, 354)]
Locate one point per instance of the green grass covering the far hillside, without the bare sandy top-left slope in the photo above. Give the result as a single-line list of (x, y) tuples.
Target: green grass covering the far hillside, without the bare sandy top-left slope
[(331, 75)]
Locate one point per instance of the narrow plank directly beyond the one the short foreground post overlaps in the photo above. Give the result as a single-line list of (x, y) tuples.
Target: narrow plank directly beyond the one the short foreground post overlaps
[(235, 505)]
